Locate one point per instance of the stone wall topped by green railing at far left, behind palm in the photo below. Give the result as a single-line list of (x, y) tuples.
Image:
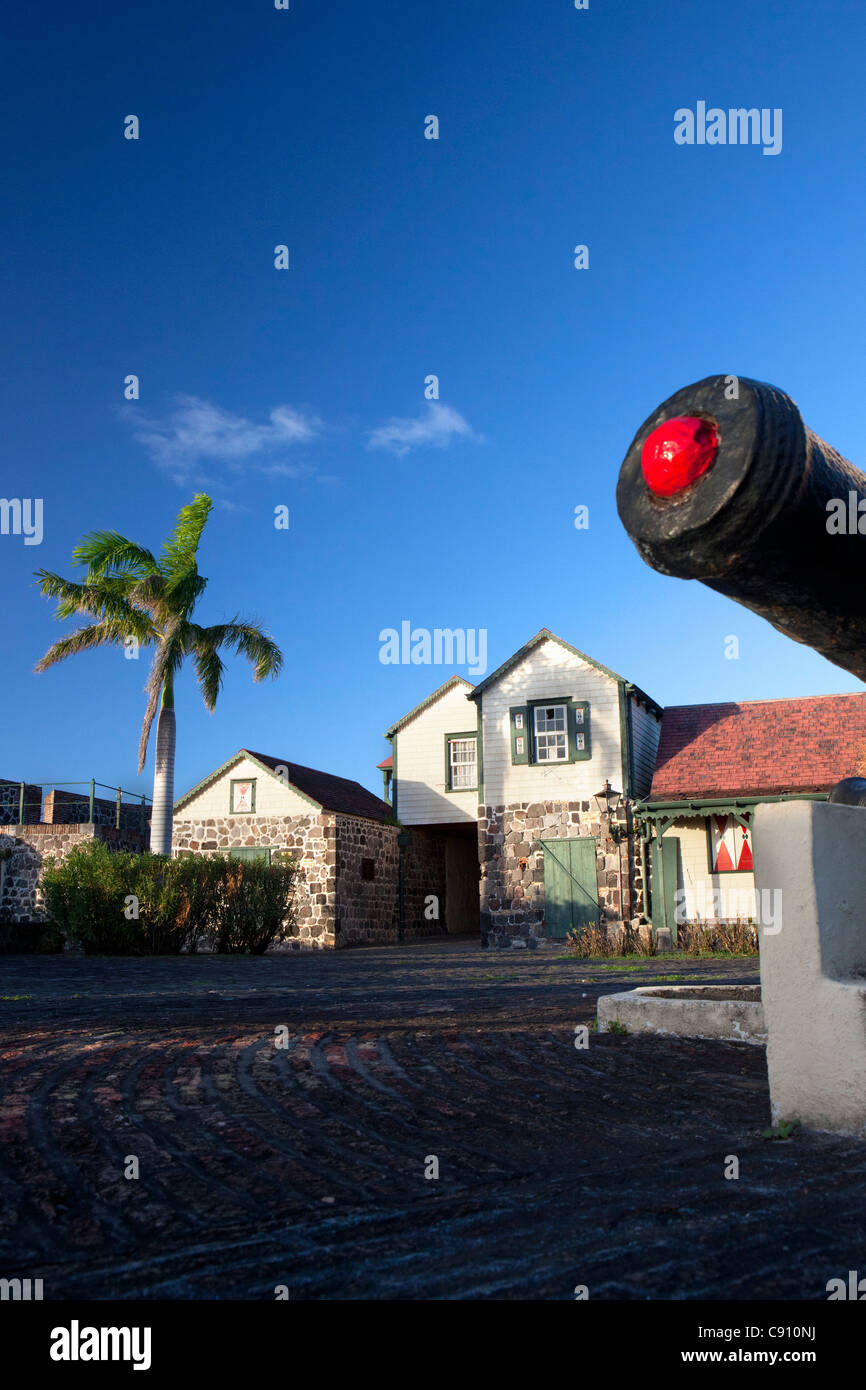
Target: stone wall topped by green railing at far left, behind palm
[(31, 846)]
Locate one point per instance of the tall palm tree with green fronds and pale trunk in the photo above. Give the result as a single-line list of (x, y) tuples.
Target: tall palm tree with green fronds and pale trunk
[(134, 597)]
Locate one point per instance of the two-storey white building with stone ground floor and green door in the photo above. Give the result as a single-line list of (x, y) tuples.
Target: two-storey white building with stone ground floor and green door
[(516, 768)]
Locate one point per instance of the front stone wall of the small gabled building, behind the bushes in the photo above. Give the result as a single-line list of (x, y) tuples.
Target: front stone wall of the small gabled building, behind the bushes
[(311, 840)]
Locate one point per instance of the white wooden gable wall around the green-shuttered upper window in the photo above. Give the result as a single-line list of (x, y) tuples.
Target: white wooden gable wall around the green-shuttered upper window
[(547, 672)]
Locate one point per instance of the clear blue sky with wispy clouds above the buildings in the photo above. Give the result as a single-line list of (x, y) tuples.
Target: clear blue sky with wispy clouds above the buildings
[(408, 258)]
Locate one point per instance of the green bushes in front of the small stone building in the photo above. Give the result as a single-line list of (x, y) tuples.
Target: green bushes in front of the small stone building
[(123, 904)]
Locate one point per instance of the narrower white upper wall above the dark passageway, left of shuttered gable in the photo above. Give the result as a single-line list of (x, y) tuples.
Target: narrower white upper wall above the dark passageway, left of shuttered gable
[(420, 764)]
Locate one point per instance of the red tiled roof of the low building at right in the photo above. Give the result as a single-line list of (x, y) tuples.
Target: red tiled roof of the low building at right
[(760, 747)]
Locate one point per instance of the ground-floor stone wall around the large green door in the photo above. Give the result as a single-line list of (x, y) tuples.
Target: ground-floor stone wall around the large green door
[(514, 894)]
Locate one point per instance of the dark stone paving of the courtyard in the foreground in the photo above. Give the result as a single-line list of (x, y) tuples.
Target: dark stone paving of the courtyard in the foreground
[(305, 1166)]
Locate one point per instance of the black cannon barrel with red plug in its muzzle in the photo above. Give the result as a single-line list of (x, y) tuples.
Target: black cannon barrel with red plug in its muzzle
[(772, 521)]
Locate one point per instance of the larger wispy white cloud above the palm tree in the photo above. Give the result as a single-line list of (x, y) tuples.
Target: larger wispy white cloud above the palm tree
[(201, 433)]
